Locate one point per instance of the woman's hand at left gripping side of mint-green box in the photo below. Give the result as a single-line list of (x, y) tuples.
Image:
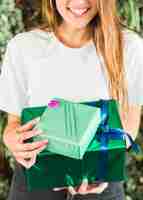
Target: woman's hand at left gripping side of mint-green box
[(24, 153)]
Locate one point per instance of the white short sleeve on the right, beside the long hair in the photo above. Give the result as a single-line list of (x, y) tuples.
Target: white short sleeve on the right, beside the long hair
[(135, 72)]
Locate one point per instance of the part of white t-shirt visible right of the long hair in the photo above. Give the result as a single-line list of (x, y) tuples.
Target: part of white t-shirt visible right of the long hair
[(133, 57)]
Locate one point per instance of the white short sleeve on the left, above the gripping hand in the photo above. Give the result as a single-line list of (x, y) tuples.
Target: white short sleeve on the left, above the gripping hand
[(13, 82)]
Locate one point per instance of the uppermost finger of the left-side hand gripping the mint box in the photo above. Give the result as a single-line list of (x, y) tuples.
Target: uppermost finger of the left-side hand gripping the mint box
[(28, 125)]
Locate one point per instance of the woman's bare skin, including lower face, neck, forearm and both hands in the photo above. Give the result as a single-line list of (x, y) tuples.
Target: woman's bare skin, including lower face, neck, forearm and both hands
[(70, 27)]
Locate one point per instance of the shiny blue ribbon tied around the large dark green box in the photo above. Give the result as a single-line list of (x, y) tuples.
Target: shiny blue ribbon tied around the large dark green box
[(104, 135)]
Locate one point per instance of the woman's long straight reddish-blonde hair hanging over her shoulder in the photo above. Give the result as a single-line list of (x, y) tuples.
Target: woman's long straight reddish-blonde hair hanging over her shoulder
[(108, 39)]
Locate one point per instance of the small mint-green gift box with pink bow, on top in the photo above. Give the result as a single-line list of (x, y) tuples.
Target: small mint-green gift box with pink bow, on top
[(69, 127)]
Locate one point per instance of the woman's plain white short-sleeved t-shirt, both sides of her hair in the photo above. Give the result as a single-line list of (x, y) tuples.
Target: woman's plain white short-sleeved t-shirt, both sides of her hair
[(38, 67)]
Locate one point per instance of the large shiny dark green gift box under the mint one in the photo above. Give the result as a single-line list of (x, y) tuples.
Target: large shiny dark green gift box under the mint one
[(52, 170)]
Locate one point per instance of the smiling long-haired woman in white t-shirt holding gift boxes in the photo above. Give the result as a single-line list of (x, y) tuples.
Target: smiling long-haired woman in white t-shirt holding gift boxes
[(82, 53)]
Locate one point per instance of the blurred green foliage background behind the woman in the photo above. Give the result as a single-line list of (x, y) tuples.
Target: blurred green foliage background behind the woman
[(15, 19)]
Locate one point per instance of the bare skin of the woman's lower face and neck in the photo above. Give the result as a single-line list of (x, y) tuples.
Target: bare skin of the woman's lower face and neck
[(73, 25)]
